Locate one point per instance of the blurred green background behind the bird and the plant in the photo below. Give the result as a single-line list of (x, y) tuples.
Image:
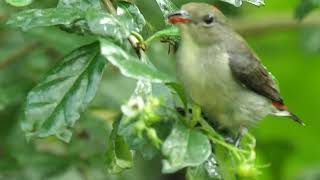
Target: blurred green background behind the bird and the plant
[(289, 49)]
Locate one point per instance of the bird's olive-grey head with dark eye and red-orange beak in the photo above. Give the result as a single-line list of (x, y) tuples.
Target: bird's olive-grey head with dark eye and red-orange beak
[(202, 22)]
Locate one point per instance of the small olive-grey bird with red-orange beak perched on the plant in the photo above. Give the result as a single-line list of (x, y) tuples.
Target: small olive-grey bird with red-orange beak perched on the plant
[(221, 73)]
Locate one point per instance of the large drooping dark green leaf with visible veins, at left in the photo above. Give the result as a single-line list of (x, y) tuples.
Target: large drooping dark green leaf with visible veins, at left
[(55, 104)]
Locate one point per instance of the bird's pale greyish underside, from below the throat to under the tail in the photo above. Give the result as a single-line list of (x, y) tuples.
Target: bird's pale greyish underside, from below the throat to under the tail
[(211, 85)]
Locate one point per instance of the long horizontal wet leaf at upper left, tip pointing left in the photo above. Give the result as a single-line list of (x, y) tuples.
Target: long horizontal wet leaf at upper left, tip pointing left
[(44, 17)]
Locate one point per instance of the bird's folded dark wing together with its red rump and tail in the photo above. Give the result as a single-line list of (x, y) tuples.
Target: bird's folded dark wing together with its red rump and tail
[(248, 70)]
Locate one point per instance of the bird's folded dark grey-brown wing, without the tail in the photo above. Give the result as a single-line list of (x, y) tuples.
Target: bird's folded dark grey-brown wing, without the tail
[(249, 71)]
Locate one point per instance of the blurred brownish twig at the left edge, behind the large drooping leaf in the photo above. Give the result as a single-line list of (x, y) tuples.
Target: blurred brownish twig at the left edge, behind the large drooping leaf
[(18, 55)]
